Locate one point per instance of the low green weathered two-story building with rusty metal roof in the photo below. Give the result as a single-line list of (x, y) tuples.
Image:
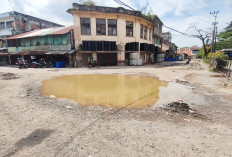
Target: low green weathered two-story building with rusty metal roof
[(54, 44)]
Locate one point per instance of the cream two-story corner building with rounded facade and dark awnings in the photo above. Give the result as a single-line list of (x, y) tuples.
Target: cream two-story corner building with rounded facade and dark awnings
[(110, 34)]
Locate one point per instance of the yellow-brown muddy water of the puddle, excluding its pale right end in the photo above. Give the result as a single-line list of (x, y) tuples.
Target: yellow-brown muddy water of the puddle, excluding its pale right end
[(118, 91)]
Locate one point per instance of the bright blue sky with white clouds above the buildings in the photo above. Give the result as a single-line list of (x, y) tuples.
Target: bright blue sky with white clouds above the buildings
[(180, 15)]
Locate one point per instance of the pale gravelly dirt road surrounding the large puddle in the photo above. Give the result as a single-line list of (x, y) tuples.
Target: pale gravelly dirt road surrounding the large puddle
[(33, 125)]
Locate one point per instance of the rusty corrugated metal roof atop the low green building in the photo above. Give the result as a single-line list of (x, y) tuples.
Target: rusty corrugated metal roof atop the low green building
[(43, 32)]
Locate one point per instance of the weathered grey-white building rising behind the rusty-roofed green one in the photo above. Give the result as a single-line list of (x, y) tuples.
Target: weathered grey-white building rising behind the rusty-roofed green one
[(12, 23)]
